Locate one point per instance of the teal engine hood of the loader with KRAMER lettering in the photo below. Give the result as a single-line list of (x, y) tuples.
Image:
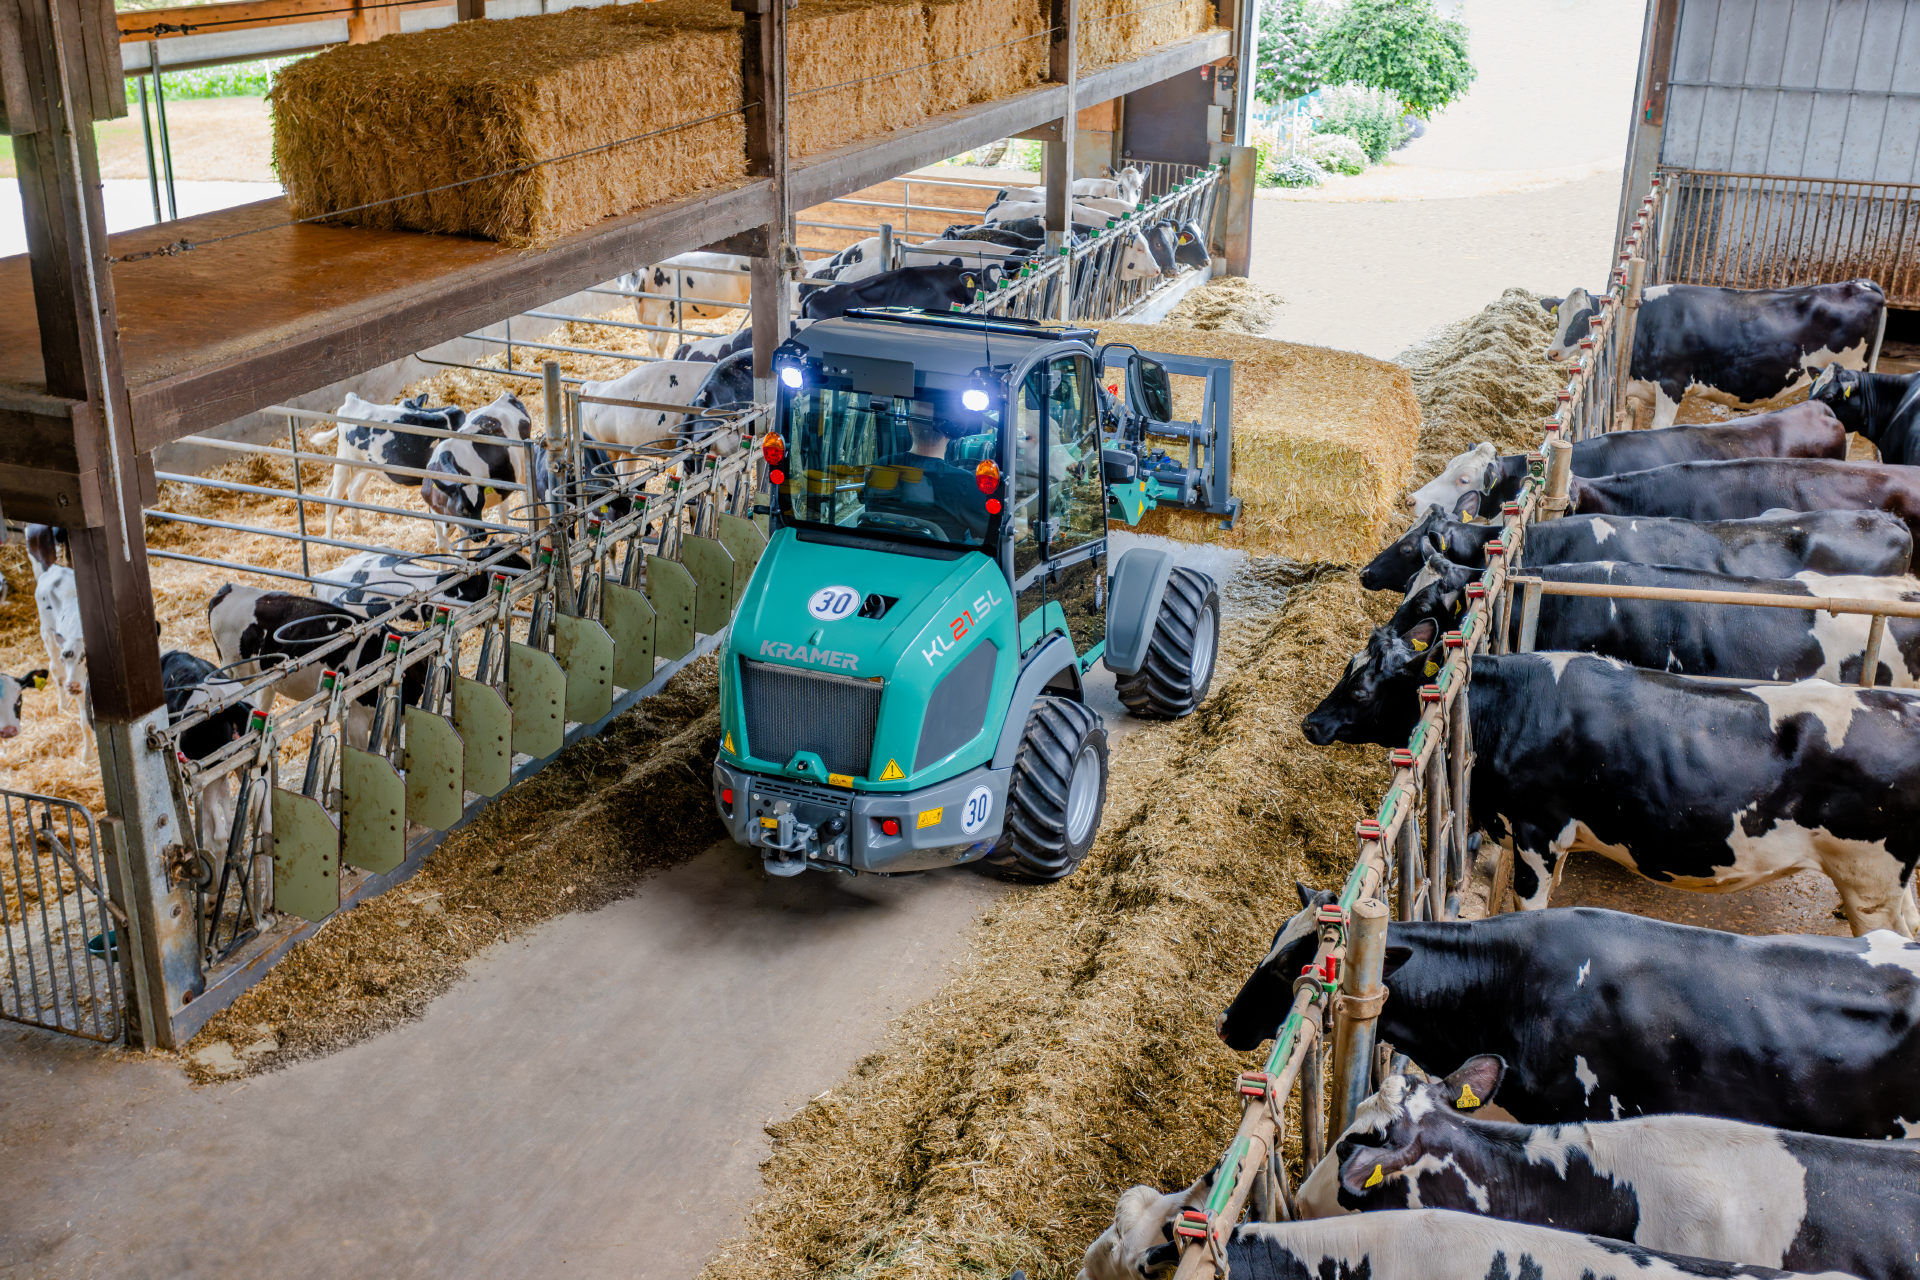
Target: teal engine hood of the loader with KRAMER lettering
[(869, 671)]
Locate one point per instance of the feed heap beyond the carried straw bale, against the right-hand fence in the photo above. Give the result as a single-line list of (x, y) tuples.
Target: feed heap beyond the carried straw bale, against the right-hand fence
[(1485, 379)]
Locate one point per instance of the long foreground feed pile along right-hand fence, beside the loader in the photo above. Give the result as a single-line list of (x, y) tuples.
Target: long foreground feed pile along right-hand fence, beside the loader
[(1076, 1055)]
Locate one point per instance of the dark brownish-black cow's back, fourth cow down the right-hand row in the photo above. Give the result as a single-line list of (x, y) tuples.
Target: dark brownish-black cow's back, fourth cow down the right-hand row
[(1742, 488)]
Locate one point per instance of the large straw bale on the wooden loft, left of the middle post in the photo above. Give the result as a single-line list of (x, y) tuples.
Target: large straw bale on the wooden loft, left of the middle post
[(406, 114)]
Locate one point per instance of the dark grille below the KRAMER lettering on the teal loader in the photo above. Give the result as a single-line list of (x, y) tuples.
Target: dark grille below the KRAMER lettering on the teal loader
[(792, 711)]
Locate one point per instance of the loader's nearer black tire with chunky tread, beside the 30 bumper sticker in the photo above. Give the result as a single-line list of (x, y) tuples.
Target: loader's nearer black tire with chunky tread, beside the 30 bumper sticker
[(1051, 822)]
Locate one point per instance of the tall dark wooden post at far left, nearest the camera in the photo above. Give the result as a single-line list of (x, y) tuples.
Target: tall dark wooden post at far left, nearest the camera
[(80, 348)]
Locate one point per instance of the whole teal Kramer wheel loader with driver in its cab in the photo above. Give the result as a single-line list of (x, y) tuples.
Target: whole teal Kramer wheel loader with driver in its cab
[(903, 688)]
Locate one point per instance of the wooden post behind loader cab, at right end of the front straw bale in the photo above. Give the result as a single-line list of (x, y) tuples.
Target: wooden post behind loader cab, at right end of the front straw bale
[(765, 93)]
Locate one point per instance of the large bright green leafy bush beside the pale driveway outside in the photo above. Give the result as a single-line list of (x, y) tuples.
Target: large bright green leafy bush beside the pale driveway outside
[(1403, 47)]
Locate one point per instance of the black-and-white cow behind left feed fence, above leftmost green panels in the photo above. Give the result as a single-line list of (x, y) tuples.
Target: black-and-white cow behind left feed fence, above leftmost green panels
[(258, 630)]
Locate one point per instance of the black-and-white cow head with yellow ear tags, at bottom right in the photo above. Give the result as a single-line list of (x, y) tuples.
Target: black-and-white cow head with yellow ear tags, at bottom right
[(1401, 1135)]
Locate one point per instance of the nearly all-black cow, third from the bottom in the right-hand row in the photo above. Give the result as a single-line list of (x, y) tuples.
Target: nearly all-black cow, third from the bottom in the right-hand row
[(1604, 1014)]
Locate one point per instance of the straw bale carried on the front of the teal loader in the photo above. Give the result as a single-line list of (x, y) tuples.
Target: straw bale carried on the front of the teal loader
[(1320, 473)]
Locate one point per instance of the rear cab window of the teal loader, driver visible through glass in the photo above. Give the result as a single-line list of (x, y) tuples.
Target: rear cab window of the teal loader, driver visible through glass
[(892, 465)]
